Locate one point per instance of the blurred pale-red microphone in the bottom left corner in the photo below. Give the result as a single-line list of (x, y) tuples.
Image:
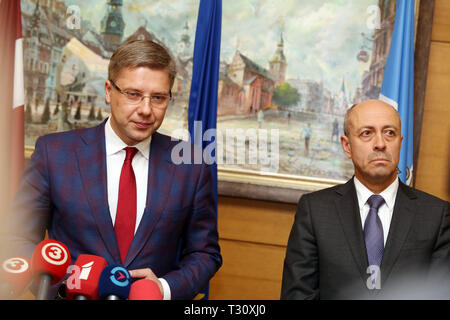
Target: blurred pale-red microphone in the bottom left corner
[(15, 276)]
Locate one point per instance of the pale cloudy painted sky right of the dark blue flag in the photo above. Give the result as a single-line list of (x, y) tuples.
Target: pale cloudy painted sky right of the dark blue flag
[(321, 37)]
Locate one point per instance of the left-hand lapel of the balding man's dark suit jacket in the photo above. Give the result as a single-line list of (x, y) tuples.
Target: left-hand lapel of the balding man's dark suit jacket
[(349, 216)]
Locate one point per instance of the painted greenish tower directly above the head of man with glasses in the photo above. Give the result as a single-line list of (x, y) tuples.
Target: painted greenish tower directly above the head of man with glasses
[(112, 25)]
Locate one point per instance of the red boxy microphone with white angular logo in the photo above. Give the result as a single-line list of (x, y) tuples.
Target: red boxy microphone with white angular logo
[(83, 281)]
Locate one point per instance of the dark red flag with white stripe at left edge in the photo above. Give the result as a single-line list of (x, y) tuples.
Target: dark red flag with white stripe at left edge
[(12, 86)]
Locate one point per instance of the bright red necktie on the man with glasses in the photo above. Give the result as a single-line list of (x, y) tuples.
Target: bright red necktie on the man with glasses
[(126, 205)]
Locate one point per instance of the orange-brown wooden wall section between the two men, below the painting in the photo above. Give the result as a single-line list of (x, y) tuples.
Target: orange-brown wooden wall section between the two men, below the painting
[(253, 238)]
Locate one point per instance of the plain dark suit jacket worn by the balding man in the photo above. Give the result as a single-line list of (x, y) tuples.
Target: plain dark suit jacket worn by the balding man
[(326, 255)]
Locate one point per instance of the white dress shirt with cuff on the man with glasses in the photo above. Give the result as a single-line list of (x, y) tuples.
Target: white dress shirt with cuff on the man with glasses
[(115, 156)]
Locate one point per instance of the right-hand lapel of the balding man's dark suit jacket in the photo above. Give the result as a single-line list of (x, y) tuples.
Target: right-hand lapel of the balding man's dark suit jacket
[(402, 218)]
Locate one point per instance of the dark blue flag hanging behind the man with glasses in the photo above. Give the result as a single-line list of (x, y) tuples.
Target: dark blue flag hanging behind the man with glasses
[(202, 113)]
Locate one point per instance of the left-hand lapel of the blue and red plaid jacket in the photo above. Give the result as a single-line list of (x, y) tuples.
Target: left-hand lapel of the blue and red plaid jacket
[(91, 157)]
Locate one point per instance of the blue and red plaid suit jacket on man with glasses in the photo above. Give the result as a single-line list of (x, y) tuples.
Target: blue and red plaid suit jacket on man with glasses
[(64, 190)]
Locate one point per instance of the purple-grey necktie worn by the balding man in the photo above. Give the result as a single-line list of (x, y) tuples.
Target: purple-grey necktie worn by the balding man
[(373, 231)]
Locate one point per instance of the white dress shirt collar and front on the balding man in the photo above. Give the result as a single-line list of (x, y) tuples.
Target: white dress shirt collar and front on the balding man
[(386, 209)]
